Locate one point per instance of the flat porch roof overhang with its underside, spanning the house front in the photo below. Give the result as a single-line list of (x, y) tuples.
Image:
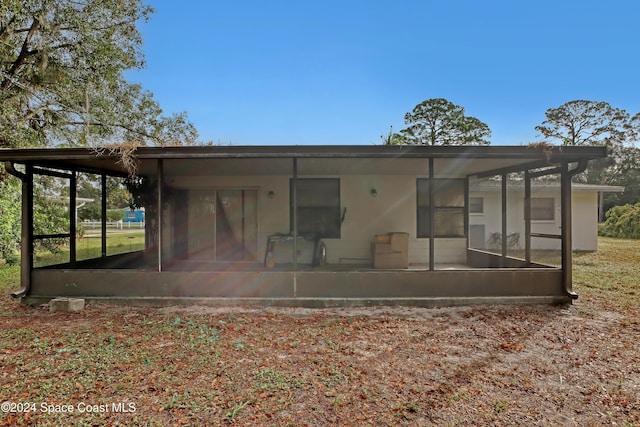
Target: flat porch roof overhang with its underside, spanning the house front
[(453, 161)]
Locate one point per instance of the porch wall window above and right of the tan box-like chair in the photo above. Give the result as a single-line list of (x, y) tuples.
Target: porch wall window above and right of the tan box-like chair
[(448, 208)]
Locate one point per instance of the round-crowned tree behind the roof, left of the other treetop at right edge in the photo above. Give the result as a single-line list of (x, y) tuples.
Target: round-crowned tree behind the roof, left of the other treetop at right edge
[(437, 121)]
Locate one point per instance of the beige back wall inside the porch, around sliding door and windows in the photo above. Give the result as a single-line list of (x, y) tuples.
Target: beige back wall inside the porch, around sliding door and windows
[(393, 209)]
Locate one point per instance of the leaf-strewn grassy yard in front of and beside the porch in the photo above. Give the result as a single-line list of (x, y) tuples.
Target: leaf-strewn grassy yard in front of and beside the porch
[(484, 365)]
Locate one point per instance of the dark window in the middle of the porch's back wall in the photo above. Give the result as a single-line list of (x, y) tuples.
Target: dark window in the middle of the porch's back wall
[(318, 203)]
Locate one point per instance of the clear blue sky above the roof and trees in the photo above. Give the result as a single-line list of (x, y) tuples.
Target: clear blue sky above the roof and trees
[(342, 72)]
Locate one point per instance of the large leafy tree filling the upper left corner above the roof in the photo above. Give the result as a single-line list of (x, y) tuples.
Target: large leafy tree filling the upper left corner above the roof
[(61, 76)]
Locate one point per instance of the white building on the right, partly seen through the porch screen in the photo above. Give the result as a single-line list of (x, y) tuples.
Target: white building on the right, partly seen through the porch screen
[(485, 214)]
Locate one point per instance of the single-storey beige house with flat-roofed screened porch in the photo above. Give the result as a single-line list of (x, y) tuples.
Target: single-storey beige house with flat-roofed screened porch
[(308, 225)]
